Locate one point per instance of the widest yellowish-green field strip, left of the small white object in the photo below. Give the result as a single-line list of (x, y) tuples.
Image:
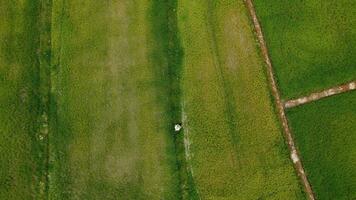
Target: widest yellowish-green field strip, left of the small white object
[(113, 136)]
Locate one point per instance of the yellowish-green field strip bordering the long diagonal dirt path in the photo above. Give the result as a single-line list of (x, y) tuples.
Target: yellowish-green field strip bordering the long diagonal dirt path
[(236, 148)]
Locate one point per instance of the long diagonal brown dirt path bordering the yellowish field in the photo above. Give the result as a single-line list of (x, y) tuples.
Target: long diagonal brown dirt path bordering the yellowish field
[(279, 105)]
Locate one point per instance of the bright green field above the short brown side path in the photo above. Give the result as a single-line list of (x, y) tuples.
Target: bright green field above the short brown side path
[(311, 42)]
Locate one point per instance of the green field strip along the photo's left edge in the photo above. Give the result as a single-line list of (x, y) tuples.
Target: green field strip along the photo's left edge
[(21, 150)]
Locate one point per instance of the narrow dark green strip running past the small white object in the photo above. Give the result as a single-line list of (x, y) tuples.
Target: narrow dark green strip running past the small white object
[(163, 19)]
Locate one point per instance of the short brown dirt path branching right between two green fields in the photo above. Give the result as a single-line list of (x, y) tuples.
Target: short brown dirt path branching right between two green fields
[(320, 95)]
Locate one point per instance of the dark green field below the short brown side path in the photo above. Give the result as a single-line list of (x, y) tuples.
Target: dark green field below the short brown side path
[(325, 133)]
